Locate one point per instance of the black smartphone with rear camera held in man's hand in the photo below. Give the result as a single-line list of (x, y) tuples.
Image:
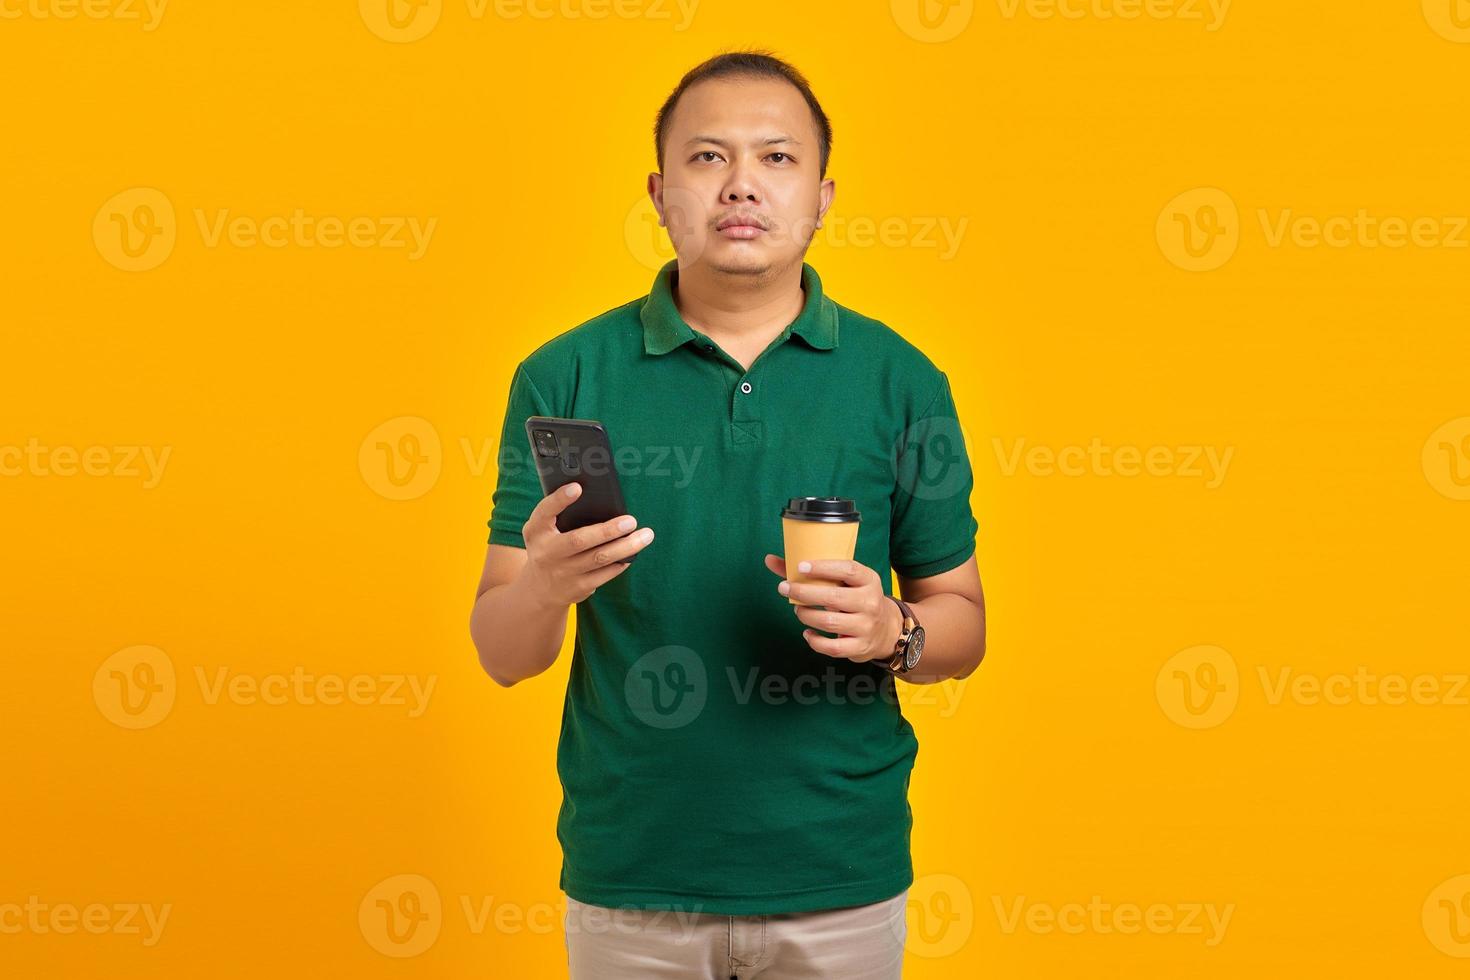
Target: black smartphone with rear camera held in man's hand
[(577, 452)]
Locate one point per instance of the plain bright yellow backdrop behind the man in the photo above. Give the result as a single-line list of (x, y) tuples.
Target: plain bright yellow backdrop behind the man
[(1058, 774)]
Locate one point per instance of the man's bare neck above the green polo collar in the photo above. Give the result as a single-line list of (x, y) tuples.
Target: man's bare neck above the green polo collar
[(739, 308)]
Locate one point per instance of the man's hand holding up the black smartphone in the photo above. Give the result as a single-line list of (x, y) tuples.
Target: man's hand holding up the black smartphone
[(567, 566)]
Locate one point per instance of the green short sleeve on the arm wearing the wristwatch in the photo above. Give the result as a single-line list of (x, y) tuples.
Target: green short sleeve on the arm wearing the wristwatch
[(933, 527)]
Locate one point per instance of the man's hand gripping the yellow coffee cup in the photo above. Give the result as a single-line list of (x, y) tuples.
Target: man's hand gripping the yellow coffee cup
[(852, 605)]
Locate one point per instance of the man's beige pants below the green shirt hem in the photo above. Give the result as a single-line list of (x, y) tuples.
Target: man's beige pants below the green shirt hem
[(864, 943)]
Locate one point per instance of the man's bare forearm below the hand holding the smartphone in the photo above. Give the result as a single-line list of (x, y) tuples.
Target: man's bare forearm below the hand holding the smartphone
[(517, 633)]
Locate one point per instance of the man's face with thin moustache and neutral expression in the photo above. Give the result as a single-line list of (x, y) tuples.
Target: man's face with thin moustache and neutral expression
[(746, 152)]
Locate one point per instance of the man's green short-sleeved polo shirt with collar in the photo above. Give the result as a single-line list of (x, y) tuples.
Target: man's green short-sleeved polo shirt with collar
[(709, 759)]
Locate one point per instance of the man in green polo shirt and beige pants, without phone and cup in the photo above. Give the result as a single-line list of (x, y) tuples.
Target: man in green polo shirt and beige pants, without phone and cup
[(736, 766)]
